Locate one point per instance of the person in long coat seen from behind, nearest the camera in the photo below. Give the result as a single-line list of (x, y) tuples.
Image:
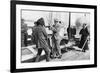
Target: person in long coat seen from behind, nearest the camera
[(40, 38)]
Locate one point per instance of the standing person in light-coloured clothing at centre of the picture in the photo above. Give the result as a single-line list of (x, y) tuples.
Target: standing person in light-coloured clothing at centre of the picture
[(56, 51)]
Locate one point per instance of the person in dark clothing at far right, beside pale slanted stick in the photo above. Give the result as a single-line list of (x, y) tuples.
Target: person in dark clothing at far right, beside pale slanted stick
[(84, 34)]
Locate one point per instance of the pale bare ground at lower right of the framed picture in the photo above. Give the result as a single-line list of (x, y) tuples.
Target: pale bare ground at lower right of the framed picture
[(72, 56)]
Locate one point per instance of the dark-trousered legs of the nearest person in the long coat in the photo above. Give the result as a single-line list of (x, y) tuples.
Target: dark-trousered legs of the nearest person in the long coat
[(47, 54)]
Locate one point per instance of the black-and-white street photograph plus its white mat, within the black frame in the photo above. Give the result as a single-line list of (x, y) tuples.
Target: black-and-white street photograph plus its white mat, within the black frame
[(54, 36)]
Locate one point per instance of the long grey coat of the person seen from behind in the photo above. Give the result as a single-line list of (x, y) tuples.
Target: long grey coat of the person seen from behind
[(40, 36)]
